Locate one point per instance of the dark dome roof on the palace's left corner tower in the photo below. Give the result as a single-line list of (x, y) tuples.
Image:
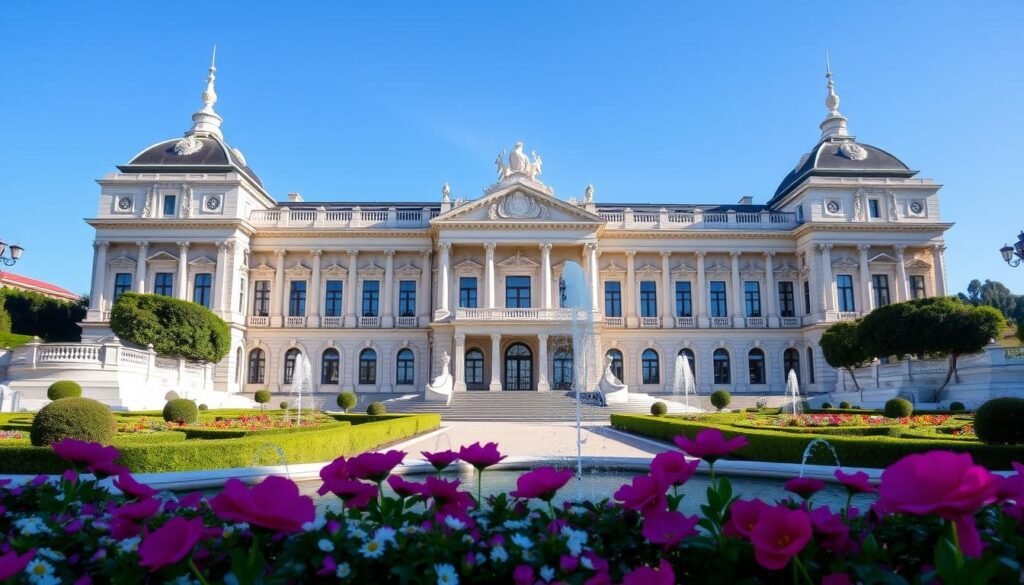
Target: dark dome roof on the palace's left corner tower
[(212, 156)]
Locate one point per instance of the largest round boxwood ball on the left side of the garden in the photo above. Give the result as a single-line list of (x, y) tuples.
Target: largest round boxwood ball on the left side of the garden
[(84, 420)]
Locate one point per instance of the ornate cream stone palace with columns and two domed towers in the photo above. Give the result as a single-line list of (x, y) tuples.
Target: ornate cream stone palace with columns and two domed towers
[(374, 296)]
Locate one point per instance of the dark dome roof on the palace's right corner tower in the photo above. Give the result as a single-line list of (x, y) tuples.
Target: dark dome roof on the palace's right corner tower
[(843, 157)]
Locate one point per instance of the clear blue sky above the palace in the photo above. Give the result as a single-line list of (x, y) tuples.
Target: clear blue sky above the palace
[(382, 101)]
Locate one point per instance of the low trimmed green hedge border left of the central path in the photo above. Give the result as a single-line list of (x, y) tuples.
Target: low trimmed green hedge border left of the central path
[(162, 454)]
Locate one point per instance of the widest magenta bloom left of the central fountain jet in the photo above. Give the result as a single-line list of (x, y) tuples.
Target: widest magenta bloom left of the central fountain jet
[(275, 504)]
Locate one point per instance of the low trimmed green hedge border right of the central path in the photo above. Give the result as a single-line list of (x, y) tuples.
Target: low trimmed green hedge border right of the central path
[(789, 448)]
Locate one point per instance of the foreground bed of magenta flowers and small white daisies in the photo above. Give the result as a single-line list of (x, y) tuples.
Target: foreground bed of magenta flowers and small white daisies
[(938, 518)]
